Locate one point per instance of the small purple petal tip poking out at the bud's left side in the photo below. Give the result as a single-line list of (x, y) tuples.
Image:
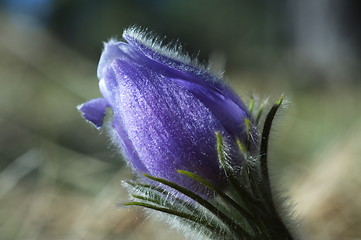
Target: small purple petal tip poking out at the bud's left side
[(94, 111)]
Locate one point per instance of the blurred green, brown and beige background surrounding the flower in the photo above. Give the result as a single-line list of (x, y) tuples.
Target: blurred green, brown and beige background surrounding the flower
[(60, 179)]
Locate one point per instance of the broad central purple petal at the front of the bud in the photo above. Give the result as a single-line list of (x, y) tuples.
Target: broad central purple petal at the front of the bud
[(169, 127)]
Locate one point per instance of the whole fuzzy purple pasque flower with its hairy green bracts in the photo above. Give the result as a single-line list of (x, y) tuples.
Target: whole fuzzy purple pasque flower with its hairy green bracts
[(187, 135)]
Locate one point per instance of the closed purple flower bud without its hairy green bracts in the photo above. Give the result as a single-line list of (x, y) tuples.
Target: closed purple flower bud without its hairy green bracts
[(166, 110)]
